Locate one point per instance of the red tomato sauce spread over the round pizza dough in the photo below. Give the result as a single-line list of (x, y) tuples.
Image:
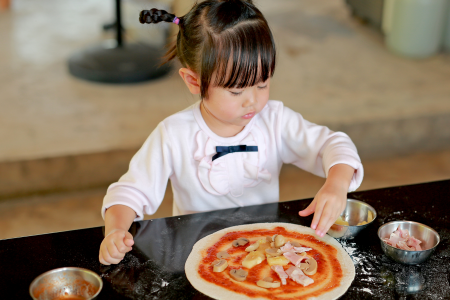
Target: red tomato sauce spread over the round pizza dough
[(328, 276)]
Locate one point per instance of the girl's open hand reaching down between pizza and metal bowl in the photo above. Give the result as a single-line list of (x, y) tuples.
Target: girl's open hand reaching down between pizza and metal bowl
[(331, 199)]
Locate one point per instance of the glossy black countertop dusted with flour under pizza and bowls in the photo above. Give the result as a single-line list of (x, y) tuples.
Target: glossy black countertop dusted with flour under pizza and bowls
[(154, 269)]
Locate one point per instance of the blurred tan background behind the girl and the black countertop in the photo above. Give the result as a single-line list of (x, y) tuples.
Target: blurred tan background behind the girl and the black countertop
[(78, 96)]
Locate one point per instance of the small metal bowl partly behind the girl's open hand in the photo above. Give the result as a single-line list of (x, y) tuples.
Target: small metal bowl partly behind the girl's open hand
[(356, 211)]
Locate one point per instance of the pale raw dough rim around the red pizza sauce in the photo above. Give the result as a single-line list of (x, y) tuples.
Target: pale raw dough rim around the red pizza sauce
[(218, 292)]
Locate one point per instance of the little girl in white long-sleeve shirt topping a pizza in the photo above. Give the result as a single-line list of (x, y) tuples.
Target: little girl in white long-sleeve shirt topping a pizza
[(227, 149)]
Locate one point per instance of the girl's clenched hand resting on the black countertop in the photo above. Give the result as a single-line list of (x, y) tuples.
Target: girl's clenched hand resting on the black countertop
[(114, 246)]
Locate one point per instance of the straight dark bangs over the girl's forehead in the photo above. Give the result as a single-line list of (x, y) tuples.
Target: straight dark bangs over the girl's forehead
[(239, 57)]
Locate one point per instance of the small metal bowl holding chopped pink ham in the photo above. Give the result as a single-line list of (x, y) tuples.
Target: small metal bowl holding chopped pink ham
[(429, 237)]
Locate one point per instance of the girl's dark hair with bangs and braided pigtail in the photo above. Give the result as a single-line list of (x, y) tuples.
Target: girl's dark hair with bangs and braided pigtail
[(229, 37)]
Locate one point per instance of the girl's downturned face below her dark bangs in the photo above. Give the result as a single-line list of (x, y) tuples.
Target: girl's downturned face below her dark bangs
[(227, 111)]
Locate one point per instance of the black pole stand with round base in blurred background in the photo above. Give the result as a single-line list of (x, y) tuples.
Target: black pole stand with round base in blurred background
[(117, 62)]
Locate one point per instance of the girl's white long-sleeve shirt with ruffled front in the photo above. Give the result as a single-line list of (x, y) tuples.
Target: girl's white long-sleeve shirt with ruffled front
[(182, 146)]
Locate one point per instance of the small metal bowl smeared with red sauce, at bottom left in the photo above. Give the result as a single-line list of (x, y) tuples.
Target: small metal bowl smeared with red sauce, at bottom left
[(64, 283)]
